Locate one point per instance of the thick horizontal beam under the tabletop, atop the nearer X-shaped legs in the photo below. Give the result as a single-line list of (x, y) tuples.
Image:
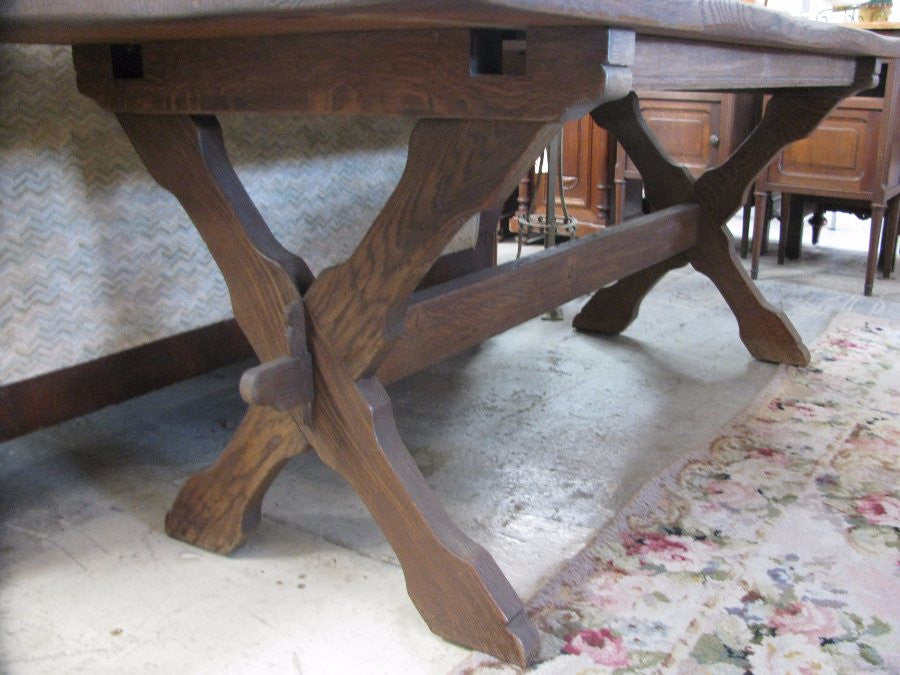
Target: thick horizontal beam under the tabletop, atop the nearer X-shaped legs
[(380, 74)]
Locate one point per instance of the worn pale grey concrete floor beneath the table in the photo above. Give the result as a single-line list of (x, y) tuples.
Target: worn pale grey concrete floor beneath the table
[(532, 441)]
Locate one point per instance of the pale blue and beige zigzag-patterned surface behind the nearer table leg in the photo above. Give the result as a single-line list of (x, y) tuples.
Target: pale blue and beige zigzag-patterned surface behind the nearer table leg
[(95, 258)]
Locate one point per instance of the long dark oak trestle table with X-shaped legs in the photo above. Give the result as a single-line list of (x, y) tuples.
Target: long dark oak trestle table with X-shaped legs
[(489, 83)]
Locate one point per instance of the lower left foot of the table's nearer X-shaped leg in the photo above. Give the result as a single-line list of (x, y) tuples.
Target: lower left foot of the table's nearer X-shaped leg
[(218, 508)]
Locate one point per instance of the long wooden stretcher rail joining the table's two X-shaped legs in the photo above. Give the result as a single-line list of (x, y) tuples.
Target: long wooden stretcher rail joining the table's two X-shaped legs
[(449, 318)]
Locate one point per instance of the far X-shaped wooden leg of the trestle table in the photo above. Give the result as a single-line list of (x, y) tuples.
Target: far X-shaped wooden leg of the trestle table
[(766, 332)]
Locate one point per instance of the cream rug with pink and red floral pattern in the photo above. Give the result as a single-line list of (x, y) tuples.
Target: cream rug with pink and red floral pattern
[(774, 550)]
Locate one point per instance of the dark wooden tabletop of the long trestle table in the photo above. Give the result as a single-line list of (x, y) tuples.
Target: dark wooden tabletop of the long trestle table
[(731, 21)]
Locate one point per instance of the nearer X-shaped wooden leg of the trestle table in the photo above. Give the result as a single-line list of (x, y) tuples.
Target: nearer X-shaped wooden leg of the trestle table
[(354, 313)]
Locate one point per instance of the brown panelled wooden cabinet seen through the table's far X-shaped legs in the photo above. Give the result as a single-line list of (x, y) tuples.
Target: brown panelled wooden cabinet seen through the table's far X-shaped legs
[(698, 130)]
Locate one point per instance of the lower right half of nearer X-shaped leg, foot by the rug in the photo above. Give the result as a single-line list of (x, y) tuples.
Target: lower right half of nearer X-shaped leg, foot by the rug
[(453, 582)]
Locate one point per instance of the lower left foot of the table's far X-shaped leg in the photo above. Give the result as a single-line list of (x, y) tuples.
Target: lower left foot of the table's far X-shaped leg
[(612, 309)]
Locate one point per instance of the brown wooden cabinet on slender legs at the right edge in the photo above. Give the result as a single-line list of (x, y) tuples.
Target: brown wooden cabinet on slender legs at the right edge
[(851, 162)]
